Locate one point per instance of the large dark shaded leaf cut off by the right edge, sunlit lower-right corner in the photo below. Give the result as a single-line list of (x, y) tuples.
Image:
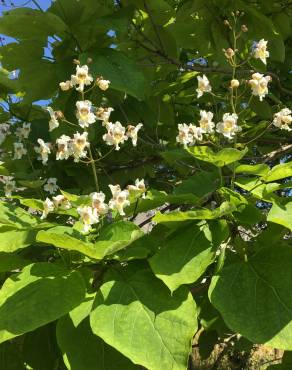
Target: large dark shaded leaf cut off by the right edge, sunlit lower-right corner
[(254, 297)]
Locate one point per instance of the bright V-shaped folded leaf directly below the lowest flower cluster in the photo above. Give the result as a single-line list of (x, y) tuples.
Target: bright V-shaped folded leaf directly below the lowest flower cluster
[(112, 238)]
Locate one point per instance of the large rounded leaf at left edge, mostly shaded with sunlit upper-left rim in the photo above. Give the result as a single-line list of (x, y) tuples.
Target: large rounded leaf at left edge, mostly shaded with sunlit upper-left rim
[(41, 293)]
